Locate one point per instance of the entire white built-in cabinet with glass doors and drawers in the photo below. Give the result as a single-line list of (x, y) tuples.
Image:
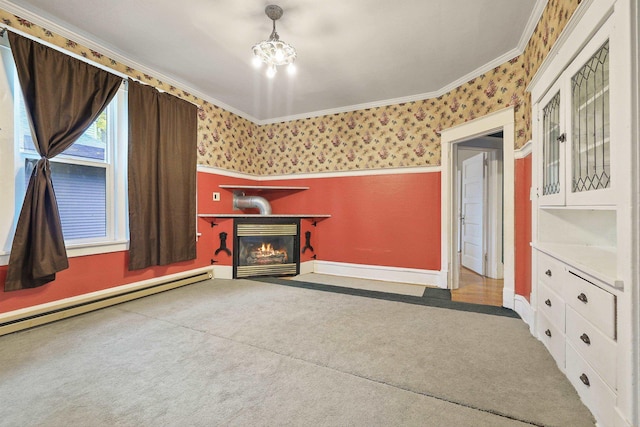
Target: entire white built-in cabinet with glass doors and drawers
[(584, 279)]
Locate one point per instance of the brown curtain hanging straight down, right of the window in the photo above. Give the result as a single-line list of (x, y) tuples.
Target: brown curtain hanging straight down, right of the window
[(162, 178)]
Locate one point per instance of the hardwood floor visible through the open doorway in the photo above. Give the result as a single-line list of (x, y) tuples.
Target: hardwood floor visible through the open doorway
[(478, 289)]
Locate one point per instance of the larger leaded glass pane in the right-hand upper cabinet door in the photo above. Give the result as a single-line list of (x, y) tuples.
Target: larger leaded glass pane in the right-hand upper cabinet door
[(591, 168)]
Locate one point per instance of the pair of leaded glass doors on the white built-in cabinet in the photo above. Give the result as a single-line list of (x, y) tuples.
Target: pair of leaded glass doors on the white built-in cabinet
[(575, 150)]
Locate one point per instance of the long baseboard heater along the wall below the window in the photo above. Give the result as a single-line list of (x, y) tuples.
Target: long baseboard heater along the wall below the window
[(18, 320)]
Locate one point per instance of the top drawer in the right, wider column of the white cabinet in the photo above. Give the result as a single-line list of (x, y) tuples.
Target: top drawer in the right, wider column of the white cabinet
[(594, 304)]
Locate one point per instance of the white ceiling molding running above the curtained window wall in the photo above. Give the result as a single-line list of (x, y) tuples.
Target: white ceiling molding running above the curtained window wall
[(114, 54)]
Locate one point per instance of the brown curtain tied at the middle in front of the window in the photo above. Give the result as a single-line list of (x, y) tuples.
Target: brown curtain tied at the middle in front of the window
[(63, 96)]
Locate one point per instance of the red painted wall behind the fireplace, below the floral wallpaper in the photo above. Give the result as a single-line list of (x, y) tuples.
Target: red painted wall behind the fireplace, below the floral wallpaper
[(385, 220)]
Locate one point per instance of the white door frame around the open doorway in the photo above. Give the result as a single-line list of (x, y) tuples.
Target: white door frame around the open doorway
[(503, 120)]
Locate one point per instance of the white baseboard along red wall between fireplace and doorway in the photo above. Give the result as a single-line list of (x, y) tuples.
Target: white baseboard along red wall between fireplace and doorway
[(376, 272)]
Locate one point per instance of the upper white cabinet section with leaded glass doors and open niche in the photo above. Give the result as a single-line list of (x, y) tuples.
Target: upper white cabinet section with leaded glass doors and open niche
[(576, 168)]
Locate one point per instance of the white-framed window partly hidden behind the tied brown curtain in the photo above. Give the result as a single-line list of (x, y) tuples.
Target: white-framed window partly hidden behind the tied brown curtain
[(89, 178)]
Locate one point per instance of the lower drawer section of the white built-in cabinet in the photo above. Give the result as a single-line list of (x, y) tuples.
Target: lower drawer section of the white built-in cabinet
[(576, 319)]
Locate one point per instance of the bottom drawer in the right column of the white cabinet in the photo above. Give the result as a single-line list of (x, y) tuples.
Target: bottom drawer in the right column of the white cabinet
[(599, 398)]
